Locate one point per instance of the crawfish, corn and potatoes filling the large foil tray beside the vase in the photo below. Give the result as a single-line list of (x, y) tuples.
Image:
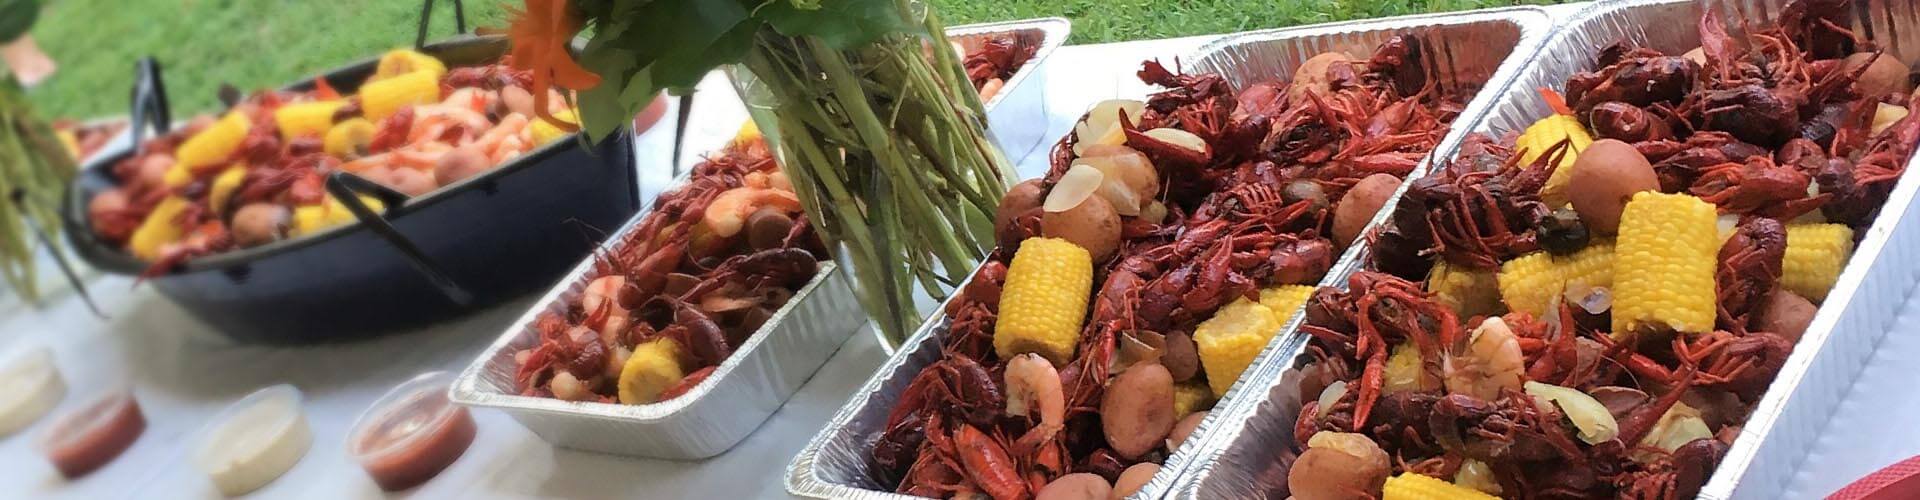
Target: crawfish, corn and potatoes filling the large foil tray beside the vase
[(1138, 280)]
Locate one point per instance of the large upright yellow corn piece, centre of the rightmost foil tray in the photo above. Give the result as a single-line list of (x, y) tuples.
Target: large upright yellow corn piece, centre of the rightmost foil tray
[(1664, 266)]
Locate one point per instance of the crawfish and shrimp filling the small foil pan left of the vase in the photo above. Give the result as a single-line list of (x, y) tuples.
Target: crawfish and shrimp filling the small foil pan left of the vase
[(692, 284)]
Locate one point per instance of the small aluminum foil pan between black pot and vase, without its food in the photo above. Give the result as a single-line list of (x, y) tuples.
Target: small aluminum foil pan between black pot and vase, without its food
[(717, 414)]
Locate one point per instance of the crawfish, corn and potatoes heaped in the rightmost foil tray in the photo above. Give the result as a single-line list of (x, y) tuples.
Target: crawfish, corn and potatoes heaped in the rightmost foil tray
[(1527, 339)]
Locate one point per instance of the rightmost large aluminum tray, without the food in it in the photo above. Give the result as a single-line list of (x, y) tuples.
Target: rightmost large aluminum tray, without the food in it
[(1255, 445)]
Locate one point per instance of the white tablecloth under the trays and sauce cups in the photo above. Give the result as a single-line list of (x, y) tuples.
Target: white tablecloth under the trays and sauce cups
[(185, 374)]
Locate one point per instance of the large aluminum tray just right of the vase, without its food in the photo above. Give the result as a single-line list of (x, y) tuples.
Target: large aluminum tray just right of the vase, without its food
[(1470, 49)]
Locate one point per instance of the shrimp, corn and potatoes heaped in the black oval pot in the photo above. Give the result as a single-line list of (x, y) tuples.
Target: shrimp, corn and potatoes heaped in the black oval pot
[(256, 174)]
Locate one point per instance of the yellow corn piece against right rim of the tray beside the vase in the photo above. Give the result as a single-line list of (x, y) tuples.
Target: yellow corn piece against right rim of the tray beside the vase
[(1230, 341)]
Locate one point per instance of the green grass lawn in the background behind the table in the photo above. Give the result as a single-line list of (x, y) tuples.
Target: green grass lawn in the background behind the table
[(266, 43)]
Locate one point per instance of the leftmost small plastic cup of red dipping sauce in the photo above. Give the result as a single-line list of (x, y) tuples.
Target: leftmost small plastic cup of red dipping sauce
[(93, 436)]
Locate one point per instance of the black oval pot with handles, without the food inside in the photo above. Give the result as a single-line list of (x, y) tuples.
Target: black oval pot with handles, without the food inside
[(498, 236)]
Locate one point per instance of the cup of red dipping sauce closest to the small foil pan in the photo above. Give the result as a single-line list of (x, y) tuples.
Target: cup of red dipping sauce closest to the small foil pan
[(412, 434)]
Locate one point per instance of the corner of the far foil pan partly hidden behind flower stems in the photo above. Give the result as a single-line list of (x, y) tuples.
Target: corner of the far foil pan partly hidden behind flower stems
[(1017, 116)]
